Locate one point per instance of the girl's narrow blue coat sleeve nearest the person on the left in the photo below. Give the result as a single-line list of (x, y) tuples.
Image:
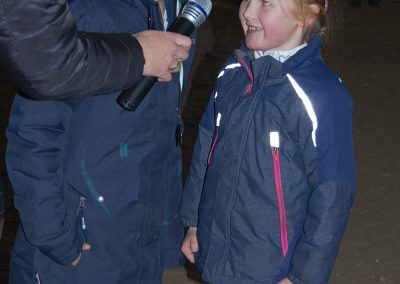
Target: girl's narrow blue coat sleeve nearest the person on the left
[(194, 182)]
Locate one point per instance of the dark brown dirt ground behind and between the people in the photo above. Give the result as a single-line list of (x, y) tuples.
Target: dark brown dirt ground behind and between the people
[(364, 49)]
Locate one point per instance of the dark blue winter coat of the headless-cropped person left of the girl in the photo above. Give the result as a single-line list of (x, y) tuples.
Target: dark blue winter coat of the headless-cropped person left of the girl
[(88, 171)]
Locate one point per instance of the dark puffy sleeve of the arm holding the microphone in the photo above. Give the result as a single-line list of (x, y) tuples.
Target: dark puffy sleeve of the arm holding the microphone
[(46, 57)]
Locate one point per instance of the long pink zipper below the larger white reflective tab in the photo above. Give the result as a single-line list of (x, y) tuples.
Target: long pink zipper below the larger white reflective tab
[(281, 199)]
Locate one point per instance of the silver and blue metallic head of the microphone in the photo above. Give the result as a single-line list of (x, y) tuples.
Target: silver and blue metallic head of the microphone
[(196, 11)]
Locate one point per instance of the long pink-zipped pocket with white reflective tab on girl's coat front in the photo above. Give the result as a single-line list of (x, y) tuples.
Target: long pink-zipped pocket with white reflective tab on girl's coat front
[(274, 144)]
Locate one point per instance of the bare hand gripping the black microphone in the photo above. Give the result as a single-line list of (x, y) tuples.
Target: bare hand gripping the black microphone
[(163, 51)]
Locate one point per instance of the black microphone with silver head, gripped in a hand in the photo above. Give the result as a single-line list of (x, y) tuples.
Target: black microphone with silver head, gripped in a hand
[(193, 14)]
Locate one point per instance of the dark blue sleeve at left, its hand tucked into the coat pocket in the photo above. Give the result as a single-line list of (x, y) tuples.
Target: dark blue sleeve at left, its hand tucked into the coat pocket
[(33, 154)]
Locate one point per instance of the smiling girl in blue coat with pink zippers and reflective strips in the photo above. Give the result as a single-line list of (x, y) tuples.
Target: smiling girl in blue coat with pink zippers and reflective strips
[(272, 179)]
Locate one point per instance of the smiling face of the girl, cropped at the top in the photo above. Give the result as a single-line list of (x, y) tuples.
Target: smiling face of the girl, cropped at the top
[(268, 24)]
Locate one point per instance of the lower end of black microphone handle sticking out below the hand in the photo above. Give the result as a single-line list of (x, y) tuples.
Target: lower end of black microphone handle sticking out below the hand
[(130, 98)]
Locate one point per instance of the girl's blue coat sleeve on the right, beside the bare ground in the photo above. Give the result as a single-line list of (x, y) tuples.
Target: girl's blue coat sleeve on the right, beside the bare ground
[(330, 165)]
